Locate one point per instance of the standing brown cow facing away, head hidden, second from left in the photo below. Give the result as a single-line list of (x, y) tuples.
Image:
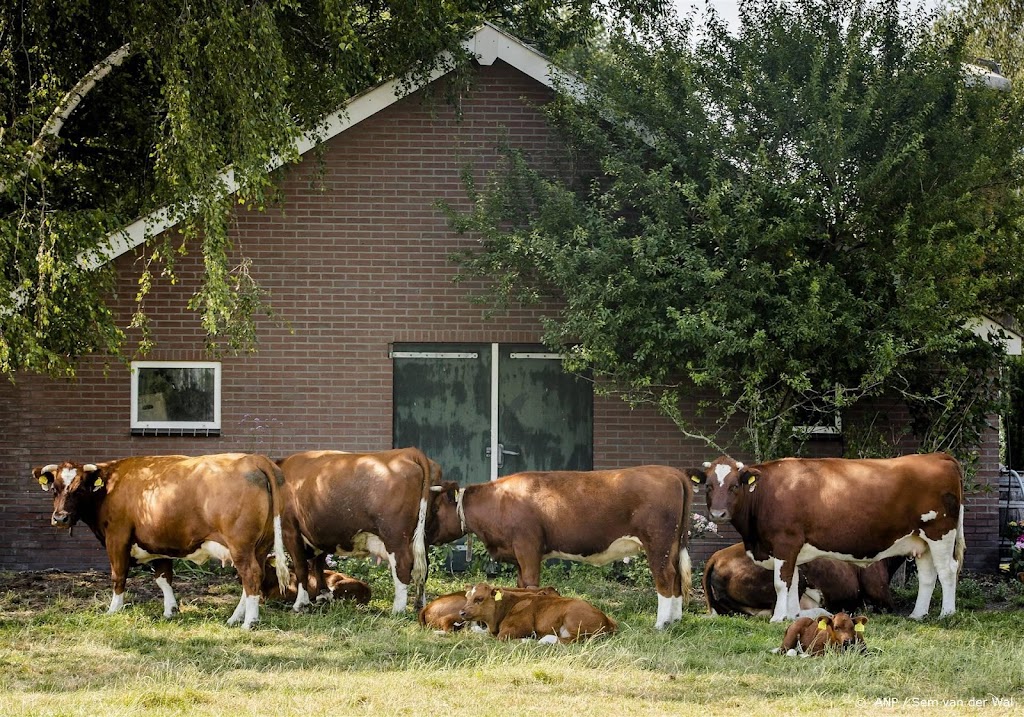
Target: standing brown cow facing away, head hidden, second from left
[(359, 504)]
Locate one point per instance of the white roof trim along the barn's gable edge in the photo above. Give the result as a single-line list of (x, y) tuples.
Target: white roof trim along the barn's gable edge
[(488, 45)]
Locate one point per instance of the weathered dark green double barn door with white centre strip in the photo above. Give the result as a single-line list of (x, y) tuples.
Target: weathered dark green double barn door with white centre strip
[(483, 411)]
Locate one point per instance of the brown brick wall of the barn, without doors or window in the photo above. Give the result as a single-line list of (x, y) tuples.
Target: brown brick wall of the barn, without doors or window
[(357, 258)]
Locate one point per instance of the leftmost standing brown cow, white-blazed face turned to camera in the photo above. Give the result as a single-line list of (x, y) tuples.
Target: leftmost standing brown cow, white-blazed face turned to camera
[(153, 510)]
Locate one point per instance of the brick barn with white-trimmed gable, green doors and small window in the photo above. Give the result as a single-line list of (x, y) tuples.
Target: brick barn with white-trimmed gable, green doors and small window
[(372, 346)]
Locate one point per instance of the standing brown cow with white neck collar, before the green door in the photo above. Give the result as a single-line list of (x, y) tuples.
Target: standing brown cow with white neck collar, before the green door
[(589, 517)]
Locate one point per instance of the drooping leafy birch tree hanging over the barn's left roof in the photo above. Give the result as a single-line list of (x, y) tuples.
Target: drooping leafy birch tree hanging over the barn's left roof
[(110, 109)]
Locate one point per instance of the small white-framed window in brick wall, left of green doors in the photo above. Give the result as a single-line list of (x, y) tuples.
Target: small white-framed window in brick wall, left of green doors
[(176, 398)]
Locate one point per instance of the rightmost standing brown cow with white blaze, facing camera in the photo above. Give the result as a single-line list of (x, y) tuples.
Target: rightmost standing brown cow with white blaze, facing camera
[(794, 511)]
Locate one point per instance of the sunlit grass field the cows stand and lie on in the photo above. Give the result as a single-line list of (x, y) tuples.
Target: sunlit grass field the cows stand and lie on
[(60, 655)]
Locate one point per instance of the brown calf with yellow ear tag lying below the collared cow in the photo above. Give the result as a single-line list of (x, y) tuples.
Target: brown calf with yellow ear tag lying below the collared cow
[(522, 616)]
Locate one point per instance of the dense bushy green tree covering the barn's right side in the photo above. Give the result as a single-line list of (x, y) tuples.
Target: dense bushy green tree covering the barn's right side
[(780, 223)]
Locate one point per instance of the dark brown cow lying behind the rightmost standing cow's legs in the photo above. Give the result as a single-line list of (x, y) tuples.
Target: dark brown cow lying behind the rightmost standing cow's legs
[(734, 584)]
